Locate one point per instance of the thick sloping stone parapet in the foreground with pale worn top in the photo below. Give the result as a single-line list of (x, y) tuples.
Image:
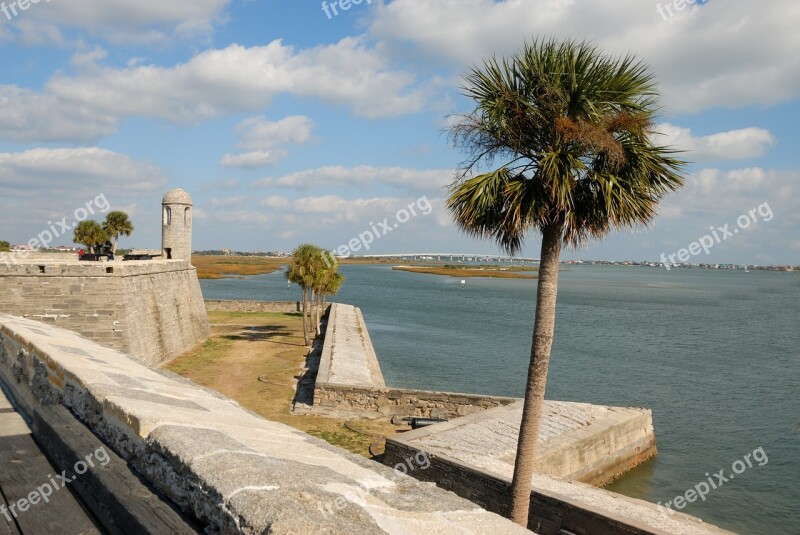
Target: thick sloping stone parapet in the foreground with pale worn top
[(232, 470)]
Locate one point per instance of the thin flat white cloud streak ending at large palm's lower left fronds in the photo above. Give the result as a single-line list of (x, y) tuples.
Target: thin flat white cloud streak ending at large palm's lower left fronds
[(362, 175)]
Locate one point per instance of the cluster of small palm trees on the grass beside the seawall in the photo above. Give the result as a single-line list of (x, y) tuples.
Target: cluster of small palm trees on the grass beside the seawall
[(312, 269)]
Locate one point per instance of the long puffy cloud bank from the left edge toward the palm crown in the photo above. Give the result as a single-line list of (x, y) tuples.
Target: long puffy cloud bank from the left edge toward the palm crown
[(214, 83)]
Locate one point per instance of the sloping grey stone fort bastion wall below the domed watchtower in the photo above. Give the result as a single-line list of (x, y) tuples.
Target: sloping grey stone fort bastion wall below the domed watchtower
[(152, 310)]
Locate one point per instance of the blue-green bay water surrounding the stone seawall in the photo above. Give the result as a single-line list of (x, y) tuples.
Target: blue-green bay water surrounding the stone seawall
[(713, 353)]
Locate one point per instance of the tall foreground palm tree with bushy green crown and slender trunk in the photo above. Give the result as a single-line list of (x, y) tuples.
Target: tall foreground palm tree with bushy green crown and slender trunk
[(573, 128)]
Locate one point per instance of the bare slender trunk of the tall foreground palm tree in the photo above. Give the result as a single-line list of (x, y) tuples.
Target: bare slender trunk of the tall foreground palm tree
[(543, 328)]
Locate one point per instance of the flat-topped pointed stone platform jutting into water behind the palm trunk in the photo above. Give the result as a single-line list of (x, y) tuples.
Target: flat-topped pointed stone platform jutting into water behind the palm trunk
[(578, 441)]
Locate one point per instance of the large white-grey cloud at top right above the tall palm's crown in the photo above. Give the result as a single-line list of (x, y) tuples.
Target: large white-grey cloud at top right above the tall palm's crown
[(729, 53)]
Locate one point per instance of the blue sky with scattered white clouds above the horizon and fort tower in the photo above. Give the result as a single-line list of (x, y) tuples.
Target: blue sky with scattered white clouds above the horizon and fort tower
[(292, 121)]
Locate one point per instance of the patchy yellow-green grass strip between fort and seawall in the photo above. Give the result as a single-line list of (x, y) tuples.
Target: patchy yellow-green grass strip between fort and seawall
[(254, 358)]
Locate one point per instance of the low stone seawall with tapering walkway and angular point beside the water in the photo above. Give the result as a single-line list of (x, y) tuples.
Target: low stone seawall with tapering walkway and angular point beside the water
[(473, 453)]
